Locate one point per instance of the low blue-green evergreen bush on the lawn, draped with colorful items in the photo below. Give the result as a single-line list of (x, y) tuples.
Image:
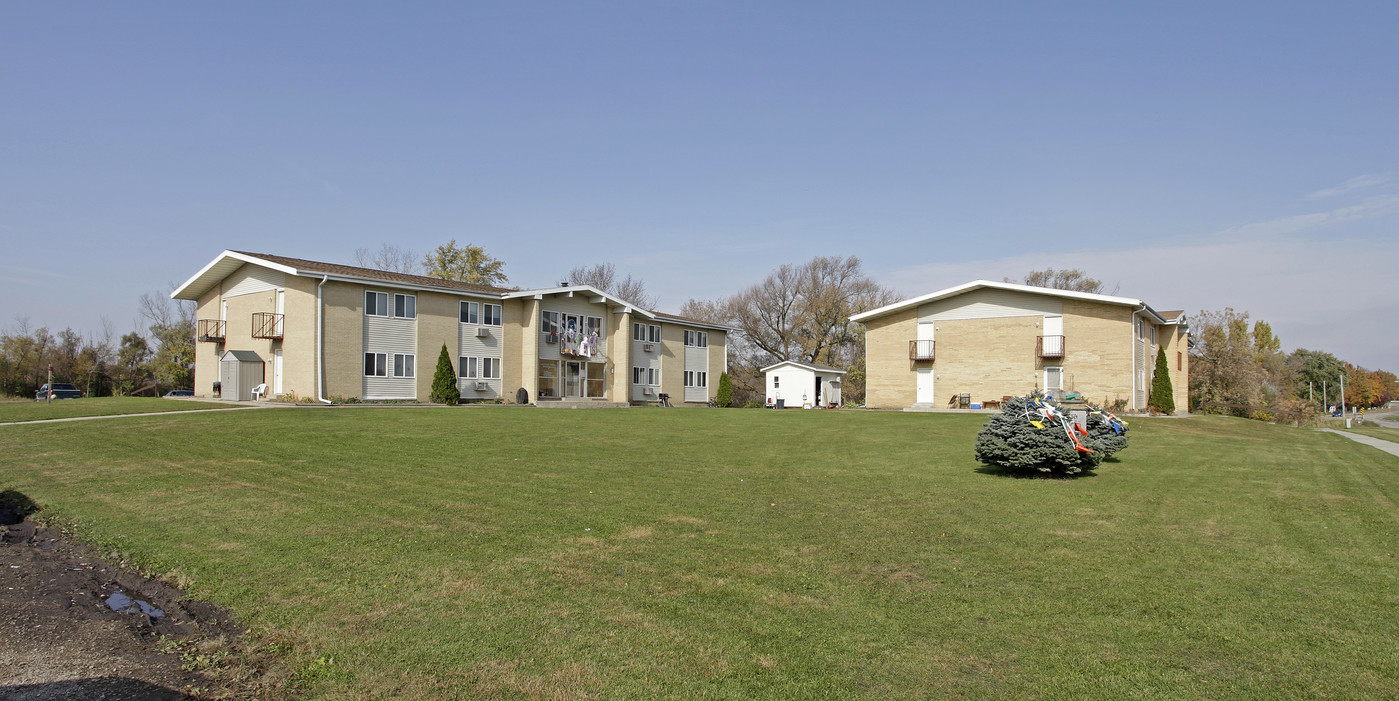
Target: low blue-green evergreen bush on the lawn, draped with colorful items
[(1033, 433)]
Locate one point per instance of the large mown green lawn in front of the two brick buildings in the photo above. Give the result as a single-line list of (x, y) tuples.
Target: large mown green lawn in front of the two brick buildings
[(751, 555)]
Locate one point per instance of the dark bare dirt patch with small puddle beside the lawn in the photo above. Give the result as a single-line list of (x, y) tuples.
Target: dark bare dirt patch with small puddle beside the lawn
[(61, 640)]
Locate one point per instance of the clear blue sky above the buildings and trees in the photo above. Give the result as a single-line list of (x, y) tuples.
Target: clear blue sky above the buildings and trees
[(1197, 156)]
